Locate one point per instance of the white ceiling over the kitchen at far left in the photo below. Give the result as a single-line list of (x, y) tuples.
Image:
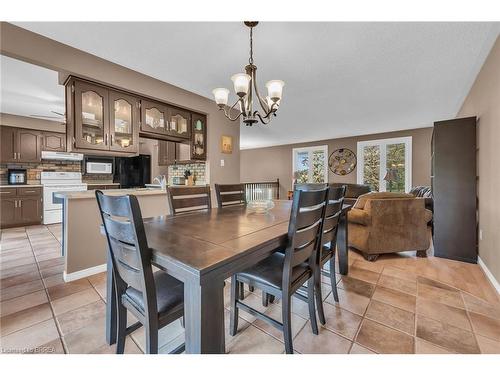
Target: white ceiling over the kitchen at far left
[(30, 90)]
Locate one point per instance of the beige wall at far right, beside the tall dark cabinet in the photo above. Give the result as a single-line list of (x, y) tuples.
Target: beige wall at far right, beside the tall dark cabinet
[(483, 101)]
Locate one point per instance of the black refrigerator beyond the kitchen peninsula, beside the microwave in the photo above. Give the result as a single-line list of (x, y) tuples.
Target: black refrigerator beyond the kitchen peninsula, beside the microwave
[(133, 171)]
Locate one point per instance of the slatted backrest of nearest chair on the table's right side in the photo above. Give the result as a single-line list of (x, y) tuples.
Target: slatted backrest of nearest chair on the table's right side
[(304, 230)]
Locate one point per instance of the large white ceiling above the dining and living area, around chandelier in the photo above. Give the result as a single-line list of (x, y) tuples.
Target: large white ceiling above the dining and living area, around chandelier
[(342, 79)]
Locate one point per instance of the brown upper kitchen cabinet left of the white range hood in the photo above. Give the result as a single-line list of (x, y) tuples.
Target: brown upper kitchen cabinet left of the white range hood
[(20, 145)]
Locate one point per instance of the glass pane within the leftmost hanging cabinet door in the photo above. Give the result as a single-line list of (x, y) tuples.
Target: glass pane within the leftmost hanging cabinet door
[(92, 117)]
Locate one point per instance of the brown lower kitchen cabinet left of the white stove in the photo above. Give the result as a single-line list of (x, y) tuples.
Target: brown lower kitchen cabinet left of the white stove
[(21, 206)]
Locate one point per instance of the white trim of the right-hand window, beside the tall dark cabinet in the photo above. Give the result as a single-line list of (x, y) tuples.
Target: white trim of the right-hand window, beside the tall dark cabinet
[(382, 143)]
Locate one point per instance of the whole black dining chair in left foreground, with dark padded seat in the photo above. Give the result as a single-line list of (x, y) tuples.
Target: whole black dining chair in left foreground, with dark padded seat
[(155, 299)]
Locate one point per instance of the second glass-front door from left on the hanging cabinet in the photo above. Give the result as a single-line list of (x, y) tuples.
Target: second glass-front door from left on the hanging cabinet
[(123, 113)]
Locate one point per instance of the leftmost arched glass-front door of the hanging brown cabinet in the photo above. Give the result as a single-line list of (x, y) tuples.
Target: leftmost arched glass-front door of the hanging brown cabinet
[(91, 116)]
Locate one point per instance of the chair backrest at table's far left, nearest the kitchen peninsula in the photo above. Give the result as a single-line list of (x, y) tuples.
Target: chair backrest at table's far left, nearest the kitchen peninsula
[(188, 199)]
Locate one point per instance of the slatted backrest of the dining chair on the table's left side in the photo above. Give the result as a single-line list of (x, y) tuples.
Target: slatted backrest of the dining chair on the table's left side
[(128, 246)]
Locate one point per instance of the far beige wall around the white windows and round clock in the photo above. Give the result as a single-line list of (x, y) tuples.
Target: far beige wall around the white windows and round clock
[(267, 164)]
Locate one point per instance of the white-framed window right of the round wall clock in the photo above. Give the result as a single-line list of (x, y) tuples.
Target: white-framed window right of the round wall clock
[(385, 164)]
